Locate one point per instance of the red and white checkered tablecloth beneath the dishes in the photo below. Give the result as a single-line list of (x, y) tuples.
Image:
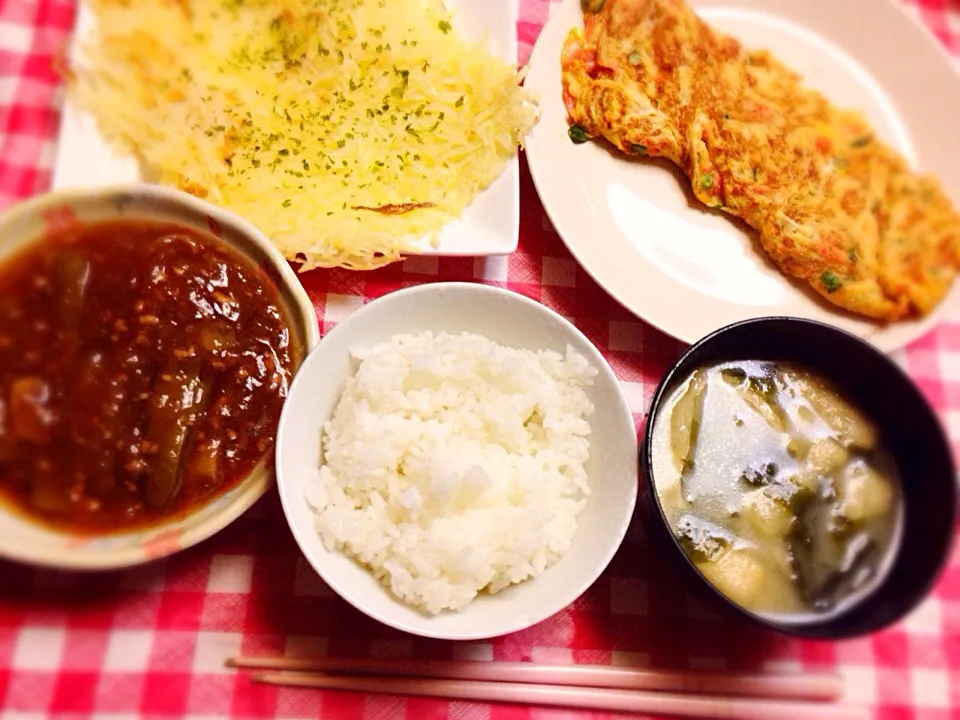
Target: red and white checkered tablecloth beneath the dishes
[(151, 642)]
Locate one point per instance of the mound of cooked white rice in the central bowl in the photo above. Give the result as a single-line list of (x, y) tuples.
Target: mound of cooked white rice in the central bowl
[(453, 465)]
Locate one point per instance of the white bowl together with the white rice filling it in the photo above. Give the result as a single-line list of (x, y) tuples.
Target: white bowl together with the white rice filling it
[(457, 461)]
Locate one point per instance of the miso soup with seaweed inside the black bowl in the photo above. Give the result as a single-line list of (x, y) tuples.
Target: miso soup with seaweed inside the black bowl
[(778, 488)]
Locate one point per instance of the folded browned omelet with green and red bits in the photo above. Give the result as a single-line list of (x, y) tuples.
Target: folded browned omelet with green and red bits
[(832, 205)]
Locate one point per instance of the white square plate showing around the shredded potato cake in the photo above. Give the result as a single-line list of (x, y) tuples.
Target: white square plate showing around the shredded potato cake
[(489, 226)]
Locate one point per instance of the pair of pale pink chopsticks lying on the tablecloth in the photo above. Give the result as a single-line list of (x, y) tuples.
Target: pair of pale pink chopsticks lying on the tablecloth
[(595, 687)]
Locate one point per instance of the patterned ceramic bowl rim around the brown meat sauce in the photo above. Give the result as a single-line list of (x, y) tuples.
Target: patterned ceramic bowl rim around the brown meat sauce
[(27, 541)]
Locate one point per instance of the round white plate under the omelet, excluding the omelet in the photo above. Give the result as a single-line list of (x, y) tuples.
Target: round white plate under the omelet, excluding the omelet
[(688, 270)]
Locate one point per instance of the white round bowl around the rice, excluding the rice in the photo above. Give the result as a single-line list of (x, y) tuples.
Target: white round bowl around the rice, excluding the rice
[(506, 318)]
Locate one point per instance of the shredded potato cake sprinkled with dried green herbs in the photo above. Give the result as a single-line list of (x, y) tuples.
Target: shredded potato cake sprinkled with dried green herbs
[(349, 131)]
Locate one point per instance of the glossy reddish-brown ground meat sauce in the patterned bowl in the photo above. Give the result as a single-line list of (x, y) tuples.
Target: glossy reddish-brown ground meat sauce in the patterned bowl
[(143, 367)]
